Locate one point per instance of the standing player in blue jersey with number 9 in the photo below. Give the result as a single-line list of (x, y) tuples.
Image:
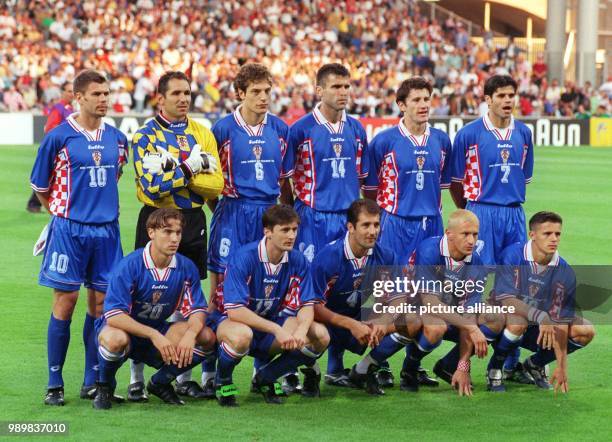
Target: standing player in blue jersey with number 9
[(409, 168)]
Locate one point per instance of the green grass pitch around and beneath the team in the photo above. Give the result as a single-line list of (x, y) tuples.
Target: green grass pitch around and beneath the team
[(573, 181)]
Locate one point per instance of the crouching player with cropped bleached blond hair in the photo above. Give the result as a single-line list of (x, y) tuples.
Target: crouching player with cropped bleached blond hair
[(454, 278)]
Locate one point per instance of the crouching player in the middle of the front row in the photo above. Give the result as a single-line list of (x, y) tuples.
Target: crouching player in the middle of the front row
[(336, 279)]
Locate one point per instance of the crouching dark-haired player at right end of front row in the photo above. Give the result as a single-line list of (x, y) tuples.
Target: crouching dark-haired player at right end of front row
[(541, 286)]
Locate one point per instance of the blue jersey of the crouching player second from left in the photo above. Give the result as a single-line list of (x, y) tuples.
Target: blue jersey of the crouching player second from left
[(267, 289)]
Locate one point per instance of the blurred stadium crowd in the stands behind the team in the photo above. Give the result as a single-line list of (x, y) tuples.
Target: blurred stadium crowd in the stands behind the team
[(43, 44)]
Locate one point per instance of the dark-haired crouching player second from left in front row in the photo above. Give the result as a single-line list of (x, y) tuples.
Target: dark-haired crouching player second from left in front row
[(264, 311)]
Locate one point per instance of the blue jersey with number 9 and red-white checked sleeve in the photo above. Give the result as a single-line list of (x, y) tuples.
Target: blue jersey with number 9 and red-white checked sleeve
[(408, 171)]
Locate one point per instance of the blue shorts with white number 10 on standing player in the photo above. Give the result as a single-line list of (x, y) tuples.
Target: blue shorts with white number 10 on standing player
[(78, 253)]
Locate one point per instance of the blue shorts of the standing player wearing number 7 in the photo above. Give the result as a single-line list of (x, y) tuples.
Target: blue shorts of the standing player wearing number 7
[(500, 226)]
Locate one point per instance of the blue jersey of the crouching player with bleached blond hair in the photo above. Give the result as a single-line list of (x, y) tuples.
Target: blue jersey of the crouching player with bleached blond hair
[(458, 283)]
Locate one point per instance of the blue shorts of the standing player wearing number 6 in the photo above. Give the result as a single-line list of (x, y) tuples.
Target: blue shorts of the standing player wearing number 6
[(235, 222)]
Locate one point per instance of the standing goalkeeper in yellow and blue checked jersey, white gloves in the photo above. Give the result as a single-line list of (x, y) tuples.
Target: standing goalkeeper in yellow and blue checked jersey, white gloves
[(176, 164)]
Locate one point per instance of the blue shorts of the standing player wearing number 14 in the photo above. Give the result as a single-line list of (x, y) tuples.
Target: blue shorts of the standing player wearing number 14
[(317, 229)]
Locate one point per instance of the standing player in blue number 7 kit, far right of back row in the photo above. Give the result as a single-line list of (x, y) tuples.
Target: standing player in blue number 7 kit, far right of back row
[(492, 162)]
